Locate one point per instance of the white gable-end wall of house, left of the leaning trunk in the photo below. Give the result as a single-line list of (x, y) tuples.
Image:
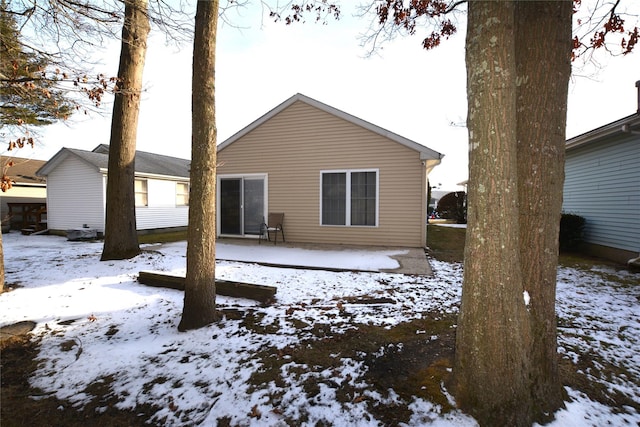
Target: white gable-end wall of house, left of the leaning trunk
[(75, 196)]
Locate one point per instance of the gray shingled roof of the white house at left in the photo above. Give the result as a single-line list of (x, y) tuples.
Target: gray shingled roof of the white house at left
[(149, 164)]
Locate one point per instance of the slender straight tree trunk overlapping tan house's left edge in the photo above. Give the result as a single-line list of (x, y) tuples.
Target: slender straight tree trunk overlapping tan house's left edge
[(200, 289)]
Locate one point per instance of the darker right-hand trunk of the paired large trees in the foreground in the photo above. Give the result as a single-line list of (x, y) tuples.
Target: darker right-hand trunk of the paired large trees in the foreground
[(543, 76)]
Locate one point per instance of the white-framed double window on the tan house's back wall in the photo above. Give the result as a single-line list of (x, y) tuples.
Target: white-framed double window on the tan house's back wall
[(349, 198)]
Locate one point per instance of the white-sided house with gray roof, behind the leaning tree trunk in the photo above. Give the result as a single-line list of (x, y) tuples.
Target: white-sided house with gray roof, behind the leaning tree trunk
[(77, 184)]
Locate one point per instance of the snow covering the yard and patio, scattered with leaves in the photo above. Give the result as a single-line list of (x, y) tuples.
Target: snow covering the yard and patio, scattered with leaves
[(97, 323)]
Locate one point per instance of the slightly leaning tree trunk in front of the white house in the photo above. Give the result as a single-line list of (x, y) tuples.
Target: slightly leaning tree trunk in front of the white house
[(121, 238)]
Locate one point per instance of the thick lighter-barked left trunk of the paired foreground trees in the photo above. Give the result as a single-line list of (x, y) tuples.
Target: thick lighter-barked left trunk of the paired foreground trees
[(492, 365)]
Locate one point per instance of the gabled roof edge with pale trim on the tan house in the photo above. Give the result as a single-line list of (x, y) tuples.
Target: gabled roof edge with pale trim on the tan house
[(425, 152)]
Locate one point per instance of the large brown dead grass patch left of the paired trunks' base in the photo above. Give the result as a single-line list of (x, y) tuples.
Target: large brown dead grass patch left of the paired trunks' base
[(413, 359)]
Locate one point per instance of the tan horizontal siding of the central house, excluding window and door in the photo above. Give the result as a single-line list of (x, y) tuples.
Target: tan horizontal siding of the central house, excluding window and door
[(294, 146)]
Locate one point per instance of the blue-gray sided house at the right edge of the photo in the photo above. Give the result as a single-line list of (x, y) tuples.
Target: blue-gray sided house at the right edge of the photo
[(602, 184)]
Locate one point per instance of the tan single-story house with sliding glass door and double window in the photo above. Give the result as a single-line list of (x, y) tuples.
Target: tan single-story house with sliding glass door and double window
[(337, 178)]
